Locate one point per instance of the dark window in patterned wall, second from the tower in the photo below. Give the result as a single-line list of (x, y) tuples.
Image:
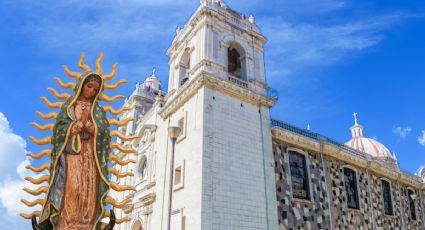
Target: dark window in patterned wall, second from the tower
[(351, 188)]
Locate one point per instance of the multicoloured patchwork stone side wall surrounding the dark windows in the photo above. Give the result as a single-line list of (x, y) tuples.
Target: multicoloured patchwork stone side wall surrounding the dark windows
[(327, 185)]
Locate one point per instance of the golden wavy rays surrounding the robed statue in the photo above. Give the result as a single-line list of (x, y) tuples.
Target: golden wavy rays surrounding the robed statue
[(53, 115)]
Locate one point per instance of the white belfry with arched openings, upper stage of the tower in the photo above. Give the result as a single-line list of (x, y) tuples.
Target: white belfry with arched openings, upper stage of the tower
[(222, 42)]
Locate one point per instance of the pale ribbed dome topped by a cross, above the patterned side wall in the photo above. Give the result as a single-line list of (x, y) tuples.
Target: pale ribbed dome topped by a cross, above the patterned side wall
[(367, 145)]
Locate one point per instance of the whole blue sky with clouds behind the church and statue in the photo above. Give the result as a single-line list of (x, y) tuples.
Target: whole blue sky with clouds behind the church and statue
[(326, 58)]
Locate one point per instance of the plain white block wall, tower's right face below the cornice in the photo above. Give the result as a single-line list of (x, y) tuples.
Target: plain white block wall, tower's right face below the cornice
[(233, 173)]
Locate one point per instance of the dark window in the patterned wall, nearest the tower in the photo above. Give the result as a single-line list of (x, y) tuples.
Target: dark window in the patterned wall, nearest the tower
[(299, 175)]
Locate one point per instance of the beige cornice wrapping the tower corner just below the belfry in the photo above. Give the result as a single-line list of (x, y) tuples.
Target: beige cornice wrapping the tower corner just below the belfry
[(212, 82)]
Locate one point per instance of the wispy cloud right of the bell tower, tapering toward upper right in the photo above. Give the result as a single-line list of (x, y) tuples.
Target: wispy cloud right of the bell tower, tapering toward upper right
[(299, 46)]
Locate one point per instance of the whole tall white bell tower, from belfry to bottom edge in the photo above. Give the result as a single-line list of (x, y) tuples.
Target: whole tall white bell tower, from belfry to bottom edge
[(218, 95)]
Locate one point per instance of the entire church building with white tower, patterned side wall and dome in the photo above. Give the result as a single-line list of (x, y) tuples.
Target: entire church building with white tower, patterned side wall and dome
[(233, 166)]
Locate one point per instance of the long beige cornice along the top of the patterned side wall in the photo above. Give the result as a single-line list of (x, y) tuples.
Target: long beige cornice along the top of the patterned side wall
[(343, 155)]
